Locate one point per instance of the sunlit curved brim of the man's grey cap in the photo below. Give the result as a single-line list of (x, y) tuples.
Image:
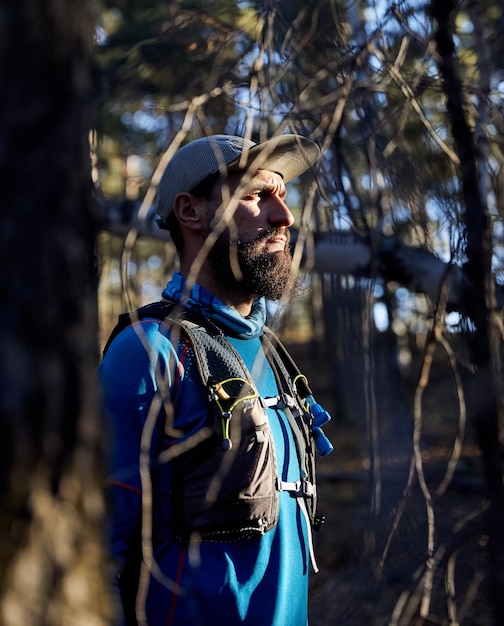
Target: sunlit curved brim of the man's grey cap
[(288, 155)]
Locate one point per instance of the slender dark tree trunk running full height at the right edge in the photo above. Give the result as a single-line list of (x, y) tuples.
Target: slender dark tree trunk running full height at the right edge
[(487, 338)]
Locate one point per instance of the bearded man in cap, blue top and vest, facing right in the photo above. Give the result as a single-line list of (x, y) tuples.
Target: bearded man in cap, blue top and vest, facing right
[(211, 500)]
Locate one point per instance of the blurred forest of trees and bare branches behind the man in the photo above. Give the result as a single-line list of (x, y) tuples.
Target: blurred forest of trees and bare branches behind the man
[(400, 239)]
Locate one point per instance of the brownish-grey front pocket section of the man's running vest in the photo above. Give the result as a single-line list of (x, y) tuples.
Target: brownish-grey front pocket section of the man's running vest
[(224, 488)]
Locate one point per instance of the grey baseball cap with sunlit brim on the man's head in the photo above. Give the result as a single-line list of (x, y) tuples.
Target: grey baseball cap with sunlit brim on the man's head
[(288, 155)]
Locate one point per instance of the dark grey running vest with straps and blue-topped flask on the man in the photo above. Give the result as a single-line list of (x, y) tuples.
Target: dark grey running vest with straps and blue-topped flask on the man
[(226, 487)]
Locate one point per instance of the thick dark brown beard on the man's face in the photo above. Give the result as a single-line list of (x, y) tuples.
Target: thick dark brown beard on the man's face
[(258, 273)]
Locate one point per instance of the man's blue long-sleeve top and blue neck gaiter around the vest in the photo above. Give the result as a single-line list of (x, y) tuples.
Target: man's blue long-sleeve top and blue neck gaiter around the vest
[(256, 581)]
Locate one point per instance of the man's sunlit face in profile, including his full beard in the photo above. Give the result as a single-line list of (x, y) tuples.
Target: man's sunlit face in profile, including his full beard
[(252, 255)]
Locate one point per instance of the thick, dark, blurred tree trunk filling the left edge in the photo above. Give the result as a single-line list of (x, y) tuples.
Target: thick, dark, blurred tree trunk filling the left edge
[(50, 547)]
